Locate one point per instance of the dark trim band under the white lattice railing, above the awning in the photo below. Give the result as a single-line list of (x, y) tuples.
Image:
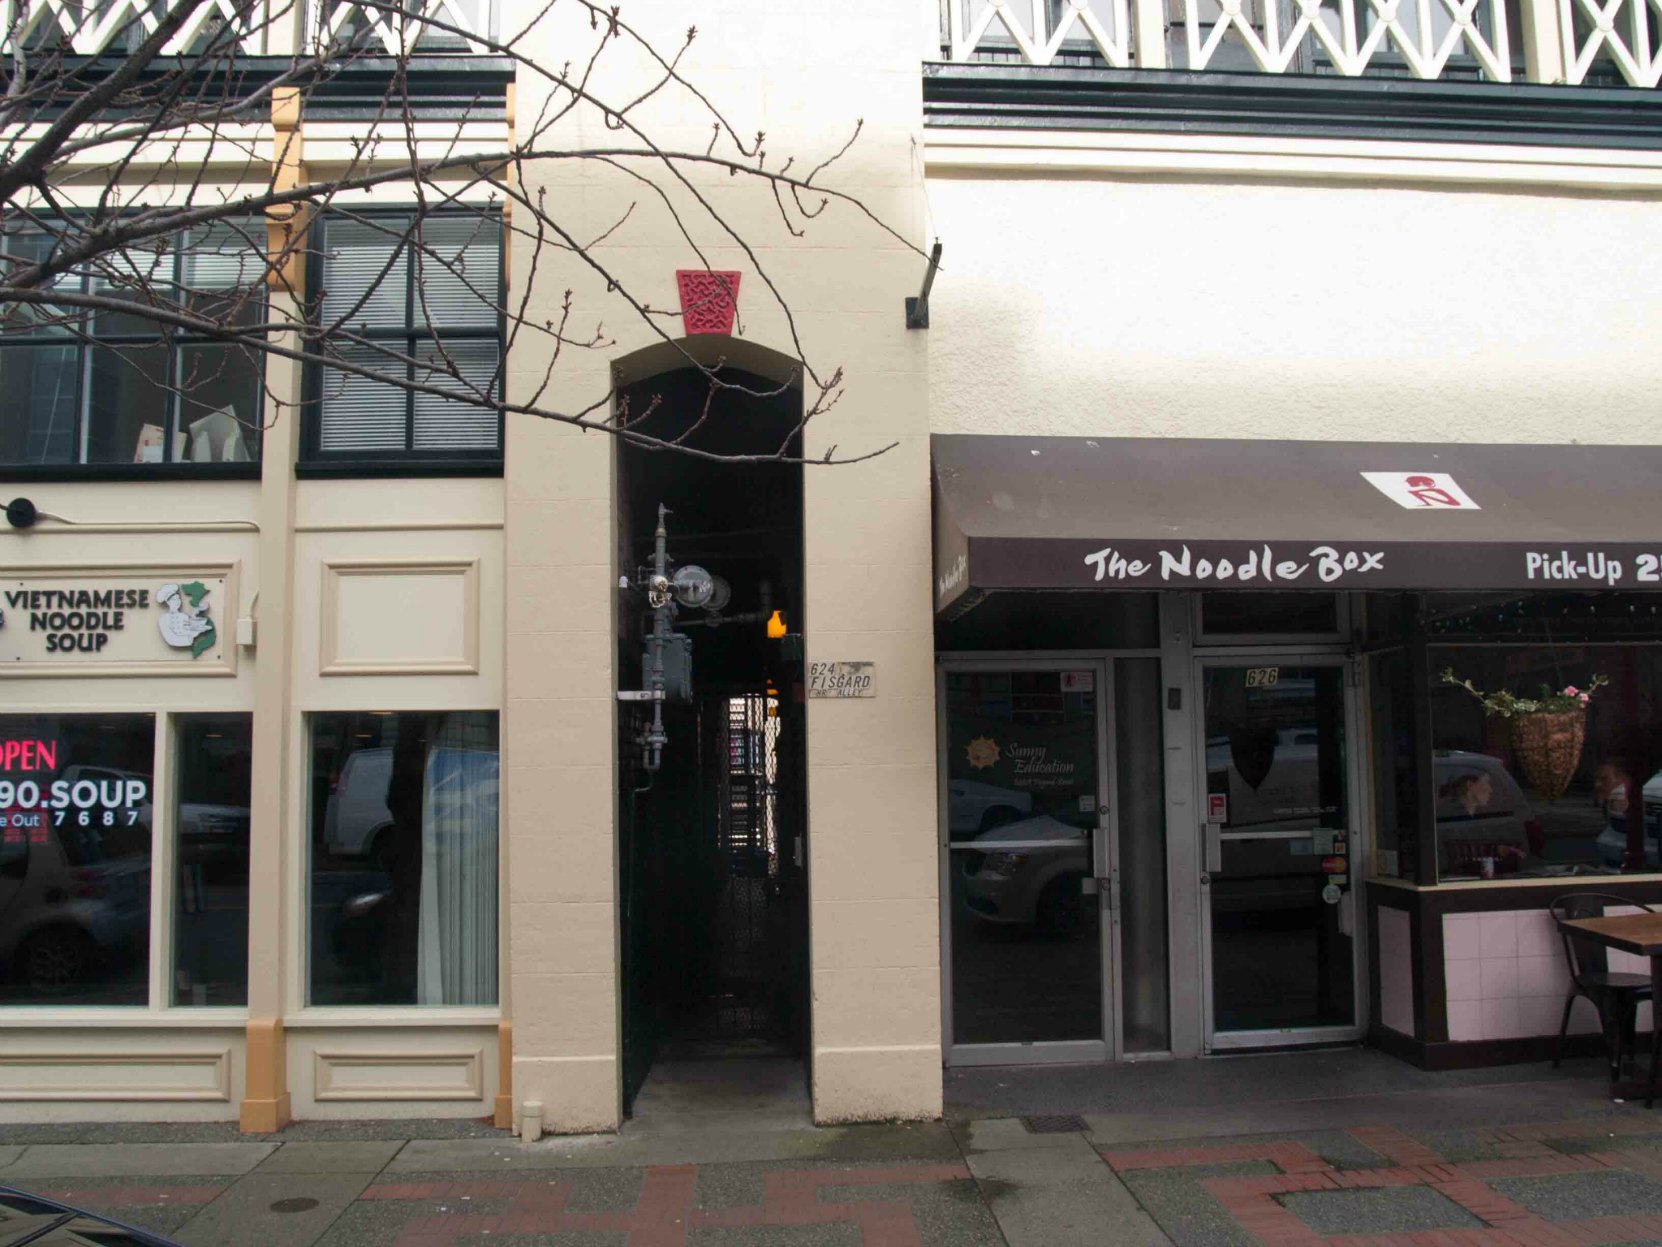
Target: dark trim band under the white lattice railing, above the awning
[(1297, 106)]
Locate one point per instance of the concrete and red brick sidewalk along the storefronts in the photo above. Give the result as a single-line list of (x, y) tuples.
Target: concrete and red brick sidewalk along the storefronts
[(1322, 1150)]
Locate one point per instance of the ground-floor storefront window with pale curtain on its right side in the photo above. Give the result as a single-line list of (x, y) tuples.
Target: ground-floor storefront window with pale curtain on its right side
[(405, 859)]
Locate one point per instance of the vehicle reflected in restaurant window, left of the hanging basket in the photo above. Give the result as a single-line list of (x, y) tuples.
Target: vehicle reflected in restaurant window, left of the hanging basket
[(1482, 814)]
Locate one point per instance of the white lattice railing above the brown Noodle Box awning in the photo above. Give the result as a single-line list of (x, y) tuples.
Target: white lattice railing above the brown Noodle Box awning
[(1568, 41)]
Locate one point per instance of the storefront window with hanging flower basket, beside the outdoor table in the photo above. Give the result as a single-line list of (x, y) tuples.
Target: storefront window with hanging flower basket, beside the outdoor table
[(1515, 801)]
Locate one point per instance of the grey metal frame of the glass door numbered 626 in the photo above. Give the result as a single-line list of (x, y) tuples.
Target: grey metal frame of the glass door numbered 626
[(1357, 831)]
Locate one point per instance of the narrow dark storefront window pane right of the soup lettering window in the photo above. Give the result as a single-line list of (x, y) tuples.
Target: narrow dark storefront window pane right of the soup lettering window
[(210, 819)]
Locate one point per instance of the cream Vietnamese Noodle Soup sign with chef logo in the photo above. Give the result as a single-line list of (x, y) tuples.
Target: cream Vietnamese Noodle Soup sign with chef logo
[(116, 621)]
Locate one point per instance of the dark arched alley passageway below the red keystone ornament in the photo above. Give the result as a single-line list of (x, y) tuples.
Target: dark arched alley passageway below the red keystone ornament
[(712, 824)]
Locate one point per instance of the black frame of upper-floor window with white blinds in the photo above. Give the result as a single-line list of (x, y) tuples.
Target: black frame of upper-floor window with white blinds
[(318, 463)]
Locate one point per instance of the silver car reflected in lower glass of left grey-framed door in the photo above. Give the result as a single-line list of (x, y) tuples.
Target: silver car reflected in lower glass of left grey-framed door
[(1030, 874)]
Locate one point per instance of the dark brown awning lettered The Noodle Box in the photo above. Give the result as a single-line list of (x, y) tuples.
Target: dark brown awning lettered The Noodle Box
[(1153, 513)]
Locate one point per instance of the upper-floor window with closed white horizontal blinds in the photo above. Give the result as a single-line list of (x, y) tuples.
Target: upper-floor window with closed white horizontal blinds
[(416, 302)]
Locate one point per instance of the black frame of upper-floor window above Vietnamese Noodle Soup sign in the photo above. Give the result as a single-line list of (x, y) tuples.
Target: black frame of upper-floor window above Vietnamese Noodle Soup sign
[(177, 342)]
